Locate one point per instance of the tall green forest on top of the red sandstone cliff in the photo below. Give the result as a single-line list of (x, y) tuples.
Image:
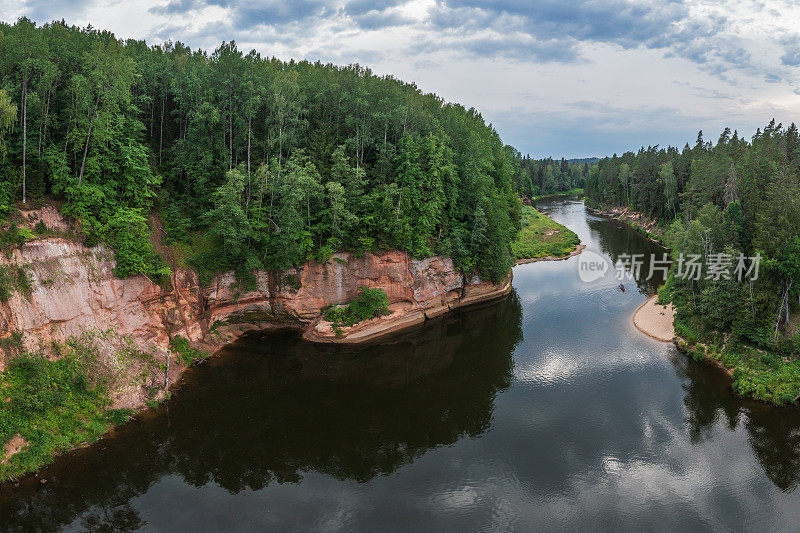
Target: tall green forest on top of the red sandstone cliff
[(251, 161)]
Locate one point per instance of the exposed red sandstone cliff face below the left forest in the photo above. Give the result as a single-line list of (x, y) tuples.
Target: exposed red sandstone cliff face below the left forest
[(74, 290)]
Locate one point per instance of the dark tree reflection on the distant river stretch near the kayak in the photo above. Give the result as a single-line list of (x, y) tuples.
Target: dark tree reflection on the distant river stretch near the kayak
[(617, 238)]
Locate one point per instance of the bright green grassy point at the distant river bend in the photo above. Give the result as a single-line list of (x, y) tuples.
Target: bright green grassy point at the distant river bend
[(541, 236)]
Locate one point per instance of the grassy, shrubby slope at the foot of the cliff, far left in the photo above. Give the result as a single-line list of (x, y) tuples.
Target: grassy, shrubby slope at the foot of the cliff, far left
[(65, 400)]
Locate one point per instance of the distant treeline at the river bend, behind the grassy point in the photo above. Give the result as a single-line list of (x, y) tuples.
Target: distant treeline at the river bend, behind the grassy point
[(546, 176)]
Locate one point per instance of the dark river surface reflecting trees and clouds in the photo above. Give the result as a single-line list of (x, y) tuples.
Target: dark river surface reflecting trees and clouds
[(546, 411)]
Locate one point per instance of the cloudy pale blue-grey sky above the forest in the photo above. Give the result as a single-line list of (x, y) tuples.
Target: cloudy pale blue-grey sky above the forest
[(570, 78)]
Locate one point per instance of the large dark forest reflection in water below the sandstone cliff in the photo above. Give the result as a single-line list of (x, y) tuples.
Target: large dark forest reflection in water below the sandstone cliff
[(275, 408)]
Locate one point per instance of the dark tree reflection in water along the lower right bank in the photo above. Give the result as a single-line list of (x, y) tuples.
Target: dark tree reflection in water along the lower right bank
[(774, 433)]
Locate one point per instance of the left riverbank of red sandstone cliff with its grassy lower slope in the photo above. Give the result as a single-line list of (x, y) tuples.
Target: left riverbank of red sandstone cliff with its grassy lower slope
[(82, 351)]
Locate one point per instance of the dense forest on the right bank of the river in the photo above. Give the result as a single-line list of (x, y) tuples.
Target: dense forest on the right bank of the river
[(729, 199)]
